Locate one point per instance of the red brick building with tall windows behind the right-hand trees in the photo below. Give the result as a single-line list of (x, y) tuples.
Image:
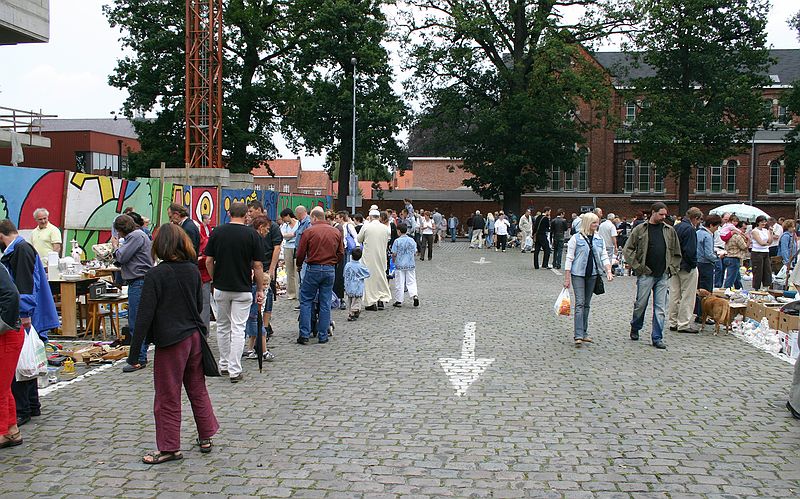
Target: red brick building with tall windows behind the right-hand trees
[(612, 178)]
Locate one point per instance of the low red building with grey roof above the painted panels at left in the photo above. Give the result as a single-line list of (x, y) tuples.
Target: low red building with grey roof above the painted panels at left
[(99, 146)]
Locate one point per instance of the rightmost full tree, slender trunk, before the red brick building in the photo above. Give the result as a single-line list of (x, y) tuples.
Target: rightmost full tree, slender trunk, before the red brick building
[(704, 99)]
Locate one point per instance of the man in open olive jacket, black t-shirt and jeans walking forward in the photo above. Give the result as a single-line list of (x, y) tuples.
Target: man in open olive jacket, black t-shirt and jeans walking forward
[(654, 253)]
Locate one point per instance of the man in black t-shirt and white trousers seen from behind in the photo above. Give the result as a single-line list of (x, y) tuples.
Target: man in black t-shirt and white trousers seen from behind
[(234, 260)]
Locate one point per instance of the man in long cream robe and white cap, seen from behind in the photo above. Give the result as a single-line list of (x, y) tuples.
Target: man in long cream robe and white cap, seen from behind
[(375, 237)]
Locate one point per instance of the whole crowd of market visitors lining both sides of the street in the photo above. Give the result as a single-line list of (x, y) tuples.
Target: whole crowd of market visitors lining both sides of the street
[(184, 271)]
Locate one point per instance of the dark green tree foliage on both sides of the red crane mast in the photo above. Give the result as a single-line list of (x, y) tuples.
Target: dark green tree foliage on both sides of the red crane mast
[(284, 70)]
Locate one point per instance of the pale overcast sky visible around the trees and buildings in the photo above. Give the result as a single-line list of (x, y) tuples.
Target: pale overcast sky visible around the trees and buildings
[(68, 76)]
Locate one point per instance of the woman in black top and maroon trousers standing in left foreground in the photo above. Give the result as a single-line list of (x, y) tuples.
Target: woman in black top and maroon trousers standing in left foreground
[(169, 317)]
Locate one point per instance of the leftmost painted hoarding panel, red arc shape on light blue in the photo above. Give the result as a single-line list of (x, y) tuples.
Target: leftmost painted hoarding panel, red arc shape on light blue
[(23, 190)]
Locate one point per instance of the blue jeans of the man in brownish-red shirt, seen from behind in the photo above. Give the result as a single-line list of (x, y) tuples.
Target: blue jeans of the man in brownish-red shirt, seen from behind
[(318, 278)]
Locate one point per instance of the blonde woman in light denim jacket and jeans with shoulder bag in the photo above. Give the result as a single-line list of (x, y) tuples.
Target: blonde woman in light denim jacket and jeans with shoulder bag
[(586, 260)]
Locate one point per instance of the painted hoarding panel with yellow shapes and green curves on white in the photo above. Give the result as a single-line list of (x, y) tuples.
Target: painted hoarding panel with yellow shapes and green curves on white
[(93, 201)]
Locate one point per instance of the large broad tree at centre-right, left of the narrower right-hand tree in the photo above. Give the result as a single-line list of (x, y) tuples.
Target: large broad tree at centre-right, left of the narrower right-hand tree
[(506, 86)]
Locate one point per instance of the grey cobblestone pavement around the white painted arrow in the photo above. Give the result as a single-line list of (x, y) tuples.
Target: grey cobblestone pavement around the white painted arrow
[(373, 414)]
